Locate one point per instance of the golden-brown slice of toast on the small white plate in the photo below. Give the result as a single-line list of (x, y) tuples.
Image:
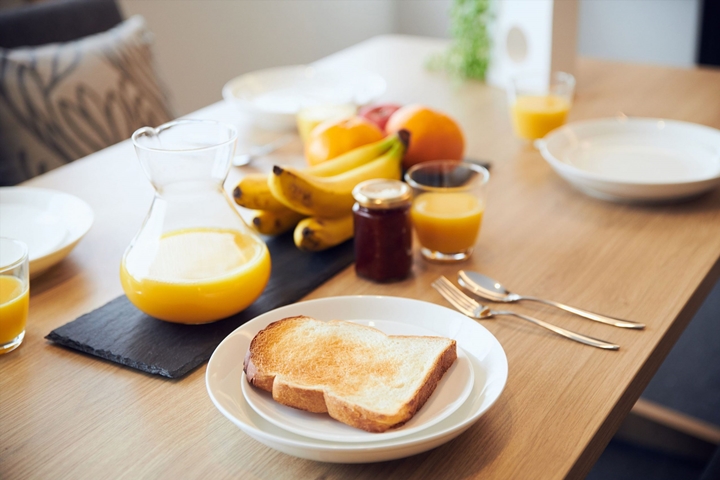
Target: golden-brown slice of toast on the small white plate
[(357, 374)]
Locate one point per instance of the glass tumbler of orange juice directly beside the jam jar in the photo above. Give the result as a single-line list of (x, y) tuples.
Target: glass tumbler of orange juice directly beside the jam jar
[(448, 207)]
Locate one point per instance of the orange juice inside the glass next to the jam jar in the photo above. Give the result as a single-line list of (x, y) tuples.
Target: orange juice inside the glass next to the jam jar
[(447, 222)]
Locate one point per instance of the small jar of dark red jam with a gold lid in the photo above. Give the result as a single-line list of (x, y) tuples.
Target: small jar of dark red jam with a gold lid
[(383, 230)]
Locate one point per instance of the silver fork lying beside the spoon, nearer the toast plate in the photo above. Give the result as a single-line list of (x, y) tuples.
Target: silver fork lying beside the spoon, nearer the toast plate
[(473, 309)]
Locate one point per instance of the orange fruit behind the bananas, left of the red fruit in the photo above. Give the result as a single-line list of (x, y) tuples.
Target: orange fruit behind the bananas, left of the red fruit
[(335, 137)]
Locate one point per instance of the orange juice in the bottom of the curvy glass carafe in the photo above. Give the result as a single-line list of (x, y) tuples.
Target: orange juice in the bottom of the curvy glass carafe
[(225, 272)]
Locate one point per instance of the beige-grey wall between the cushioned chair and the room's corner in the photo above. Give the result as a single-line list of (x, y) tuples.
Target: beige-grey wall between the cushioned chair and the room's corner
[(201, 44)]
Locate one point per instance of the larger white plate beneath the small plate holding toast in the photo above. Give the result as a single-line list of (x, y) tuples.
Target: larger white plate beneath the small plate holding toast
[(224, 376)]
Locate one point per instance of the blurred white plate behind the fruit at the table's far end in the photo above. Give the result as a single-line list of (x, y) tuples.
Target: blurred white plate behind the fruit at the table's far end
[(274, 96)]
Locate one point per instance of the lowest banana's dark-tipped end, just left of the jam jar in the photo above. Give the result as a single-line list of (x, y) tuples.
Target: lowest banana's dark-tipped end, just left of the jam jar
[(313, 234)]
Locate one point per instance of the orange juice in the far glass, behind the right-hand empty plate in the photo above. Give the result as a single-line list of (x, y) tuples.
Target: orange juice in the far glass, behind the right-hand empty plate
[(534, 116)]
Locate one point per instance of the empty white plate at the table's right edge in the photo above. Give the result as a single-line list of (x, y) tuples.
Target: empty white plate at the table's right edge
[(635, 159)]
